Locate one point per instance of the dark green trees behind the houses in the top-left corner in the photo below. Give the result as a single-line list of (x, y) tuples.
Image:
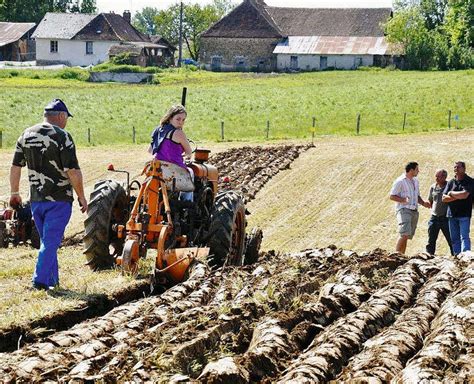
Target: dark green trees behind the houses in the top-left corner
[(34, 10)]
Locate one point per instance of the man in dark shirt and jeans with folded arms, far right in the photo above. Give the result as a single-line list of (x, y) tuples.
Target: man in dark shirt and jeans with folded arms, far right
[(458, 195)]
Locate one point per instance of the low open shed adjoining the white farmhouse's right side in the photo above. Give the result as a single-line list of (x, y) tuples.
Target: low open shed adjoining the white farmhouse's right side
[(143, 54)]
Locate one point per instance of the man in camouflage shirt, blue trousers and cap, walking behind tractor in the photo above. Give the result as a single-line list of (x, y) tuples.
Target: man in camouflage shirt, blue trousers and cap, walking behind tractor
[(53, 171)]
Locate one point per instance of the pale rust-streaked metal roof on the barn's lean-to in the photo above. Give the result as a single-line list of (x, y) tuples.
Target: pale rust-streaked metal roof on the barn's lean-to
[(333, 45)]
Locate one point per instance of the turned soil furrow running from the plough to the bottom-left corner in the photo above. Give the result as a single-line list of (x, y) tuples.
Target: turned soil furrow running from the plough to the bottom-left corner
[(64, 348)]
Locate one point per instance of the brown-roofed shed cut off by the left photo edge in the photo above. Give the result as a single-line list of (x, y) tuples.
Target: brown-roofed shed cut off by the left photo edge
[(15, 41)]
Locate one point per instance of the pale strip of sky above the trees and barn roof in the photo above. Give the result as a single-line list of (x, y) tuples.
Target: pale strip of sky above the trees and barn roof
[(118, 6)]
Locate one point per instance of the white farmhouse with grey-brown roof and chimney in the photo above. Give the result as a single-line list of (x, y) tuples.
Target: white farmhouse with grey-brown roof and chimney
[(82, 39)]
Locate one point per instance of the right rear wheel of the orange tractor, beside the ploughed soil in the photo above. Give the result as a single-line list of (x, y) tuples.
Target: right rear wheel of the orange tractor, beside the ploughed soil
[(227, 227)]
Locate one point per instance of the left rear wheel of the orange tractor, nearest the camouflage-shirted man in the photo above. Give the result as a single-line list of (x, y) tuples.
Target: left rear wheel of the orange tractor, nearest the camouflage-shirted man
[(108, 206)]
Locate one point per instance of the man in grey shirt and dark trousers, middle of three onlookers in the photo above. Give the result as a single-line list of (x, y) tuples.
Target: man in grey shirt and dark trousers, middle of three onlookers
[(438, 220)]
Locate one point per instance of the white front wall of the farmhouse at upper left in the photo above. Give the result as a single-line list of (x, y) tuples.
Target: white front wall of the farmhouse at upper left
[(72, 52)]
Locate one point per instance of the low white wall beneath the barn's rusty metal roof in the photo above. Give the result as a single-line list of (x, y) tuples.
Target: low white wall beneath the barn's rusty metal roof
[(311, 62)]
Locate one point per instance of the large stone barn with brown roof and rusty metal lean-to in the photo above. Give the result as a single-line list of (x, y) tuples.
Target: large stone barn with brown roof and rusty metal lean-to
[(255, 36)]
